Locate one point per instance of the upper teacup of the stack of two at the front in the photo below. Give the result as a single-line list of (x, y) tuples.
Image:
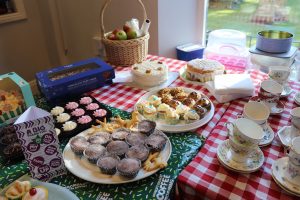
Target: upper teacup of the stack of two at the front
[(245, 131)]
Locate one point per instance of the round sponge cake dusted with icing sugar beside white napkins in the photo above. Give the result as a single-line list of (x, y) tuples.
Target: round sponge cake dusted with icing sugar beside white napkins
[(203, 70)]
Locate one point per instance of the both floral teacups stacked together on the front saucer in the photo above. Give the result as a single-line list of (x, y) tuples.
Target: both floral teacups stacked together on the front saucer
[(244, 137)]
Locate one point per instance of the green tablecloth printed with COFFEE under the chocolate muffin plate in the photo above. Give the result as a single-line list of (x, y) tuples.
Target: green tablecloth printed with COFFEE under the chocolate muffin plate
[(158, 186)]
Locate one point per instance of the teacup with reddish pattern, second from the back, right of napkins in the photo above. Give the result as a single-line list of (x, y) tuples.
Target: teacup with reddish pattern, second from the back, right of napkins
[(270, 91)]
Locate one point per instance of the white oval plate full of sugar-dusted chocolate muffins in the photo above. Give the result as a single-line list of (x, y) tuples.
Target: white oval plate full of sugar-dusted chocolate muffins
[(121, 156)]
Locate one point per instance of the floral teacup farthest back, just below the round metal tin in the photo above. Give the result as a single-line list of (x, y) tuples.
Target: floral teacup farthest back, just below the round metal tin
[(280, 74)]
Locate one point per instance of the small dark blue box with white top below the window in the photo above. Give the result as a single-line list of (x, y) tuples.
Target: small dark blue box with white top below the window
[(189, 51)]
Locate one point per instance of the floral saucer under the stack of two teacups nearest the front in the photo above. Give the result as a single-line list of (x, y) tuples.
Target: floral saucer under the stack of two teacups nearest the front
[(253, 163)]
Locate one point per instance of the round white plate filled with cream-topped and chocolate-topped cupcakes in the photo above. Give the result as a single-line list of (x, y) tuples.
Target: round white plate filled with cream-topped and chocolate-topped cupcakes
[(176, 109)]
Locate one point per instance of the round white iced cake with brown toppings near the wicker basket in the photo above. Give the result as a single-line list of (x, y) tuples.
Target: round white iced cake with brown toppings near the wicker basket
[(150, 73)]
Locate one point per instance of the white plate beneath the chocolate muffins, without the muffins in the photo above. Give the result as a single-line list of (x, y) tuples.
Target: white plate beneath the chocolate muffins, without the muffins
[(83, 169)]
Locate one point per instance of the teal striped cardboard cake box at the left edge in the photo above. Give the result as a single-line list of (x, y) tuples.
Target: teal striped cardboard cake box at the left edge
[(13, 82)]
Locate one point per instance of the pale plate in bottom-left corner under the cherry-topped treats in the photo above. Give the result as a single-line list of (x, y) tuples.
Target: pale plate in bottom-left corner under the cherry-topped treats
[(55, 192)]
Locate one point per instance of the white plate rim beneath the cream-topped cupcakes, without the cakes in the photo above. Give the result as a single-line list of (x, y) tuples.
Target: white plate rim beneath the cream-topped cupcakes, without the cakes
[(181, 127)]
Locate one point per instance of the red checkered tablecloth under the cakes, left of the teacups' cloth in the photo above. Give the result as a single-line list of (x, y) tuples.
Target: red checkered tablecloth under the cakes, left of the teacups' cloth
[(125, 97)]
